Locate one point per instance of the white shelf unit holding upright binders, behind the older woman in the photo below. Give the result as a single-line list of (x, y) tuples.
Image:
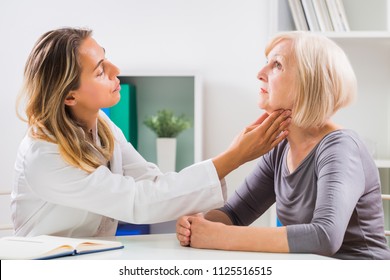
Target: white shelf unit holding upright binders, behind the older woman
[(367, 46)]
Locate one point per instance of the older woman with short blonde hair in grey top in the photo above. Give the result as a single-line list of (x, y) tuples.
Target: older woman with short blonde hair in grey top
[(324, 182)]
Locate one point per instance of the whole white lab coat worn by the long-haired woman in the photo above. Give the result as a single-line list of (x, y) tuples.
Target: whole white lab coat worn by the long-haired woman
[(52, 197)]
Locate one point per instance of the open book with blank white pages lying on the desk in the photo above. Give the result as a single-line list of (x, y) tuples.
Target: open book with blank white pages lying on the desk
[(48, 247)]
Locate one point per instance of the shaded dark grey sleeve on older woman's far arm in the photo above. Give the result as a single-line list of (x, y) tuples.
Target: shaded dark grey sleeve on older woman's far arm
[(254, 196)]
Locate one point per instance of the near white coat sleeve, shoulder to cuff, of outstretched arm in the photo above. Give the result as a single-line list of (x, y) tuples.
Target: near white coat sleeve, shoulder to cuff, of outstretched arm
[(144, 198)]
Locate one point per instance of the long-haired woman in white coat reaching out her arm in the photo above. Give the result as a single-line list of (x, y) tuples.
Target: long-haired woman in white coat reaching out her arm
[(75, 173)]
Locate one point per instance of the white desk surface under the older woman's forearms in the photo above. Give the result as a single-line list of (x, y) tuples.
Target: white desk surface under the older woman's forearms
[(166, 247)]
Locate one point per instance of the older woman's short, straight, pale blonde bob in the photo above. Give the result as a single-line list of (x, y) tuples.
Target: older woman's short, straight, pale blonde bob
[(326, 81)]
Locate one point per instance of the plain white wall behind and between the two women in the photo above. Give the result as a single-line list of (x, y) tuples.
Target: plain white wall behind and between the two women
[(221, 40)]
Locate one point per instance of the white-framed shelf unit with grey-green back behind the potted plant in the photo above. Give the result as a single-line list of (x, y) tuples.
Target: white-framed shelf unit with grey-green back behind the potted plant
[(181, 93)]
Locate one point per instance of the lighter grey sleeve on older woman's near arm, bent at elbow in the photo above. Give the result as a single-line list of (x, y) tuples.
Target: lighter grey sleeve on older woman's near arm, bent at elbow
[(340, 184)]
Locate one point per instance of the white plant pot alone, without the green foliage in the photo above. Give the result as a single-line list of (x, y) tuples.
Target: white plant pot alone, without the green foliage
[(166, 154)]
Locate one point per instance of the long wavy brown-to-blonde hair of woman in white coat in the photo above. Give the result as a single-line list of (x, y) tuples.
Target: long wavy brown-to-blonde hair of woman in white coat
[(52, 70)]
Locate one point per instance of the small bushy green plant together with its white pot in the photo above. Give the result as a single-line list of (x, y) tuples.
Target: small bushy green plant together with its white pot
[(167, 127)]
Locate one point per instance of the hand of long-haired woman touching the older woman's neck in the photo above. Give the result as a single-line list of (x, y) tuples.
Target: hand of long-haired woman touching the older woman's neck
[(254, 141)]
